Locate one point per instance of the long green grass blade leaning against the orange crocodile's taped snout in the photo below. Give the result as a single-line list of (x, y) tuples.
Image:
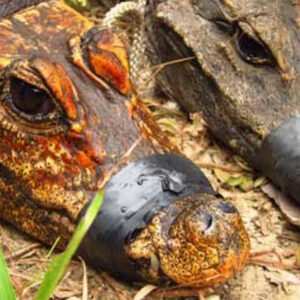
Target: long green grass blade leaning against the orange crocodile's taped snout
[(58, 265)]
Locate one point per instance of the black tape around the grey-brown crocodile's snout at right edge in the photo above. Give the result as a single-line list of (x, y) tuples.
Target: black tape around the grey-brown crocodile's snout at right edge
[(279, 157)]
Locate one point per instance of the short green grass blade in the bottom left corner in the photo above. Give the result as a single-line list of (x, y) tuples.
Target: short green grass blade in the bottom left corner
[(6, 288)]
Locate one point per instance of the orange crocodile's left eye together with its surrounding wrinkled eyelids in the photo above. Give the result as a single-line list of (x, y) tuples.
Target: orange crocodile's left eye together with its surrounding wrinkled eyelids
[(46, 120)]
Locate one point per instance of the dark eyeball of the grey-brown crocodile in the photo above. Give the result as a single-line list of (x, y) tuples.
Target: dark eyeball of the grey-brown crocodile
[(252, 50)]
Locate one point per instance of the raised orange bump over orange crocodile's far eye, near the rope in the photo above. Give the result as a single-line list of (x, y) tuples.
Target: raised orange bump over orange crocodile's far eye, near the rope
[(106, 54)]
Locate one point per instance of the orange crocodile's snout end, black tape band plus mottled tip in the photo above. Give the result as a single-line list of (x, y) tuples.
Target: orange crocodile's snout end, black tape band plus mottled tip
[(161, 221)]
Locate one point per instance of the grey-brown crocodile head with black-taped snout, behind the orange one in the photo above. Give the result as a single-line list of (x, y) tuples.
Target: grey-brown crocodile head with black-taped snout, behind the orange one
[(239, 63)]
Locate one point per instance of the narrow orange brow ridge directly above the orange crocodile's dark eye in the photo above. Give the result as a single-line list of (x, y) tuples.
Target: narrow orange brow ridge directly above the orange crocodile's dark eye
[(59, 83)]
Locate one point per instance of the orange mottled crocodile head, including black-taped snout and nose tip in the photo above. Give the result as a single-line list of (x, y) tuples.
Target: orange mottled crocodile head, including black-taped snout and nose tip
[(69, 123)]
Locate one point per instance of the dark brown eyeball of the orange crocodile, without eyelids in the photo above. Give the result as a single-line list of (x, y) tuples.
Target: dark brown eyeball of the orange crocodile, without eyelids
[(30, 100)]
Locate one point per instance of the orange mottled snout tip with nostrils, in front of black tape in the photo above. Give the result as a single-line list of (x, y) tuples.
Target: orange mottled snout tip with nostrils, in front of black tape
[(190, 254)]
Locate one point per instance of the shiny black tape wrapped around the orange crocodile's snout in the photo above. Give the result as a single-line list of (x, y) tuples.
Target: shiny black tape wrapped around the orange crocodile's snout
[(132, 197)]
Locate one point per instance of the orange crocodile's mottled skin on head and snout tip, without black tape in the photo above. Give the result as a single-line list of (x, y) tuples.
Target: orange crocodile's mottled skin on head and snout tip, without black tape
[(87, 124)]
